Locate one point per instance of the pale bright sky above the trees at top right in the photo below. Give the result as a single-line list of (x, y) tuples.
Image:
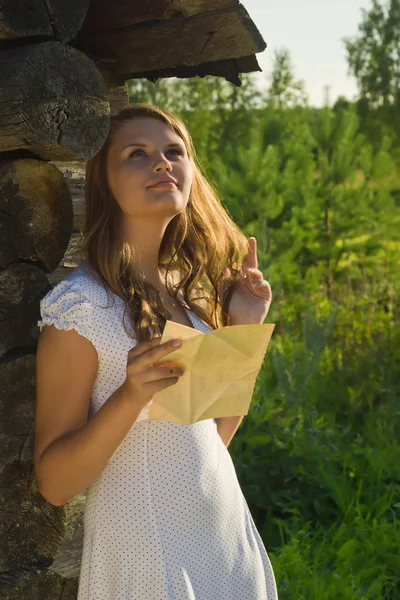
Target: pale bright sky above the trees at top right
[(312, 31)]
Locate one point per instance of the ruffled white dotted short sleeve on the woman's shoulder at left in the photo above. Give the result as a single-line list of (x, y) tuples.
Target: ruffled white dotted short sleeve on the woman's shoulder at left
[(67, 307)]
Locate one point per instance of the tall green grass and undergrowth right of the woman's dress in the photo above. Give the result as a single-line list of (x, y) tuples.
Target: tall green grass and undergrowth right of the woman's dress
[(318, 455)]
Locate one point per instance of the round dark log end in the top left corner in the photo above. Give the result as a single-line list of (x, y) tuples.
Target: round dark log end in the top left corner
[(58, 19)]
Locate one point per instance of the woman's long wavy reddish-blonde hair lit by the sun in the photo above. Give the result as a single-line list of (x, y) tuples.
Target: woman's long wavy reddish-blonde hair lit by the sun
[(198, 243)]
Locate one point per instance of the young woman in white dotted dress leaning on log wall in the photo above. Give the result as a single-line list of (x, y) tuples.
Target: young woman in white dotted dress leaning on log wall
[(165, 517)]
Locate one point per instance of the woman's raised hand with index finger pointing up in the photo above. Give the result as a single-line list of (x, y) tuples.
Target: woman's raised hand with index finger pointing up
[(252, 295)]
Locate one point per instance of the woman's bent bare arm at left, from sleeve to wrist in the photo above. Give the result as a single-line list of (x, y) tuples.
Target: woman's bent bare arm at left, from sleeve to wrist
[(71, 452)]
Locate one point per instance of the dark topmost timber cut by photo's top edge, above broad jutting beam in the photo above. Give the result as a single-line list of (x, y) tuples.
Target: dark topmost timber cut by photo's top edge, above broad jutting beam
[(103, 14)]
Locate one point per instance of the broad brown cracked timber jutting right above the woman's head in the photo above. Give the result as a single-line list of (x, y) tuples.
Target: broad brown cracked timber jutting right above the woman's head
[(179, 41)]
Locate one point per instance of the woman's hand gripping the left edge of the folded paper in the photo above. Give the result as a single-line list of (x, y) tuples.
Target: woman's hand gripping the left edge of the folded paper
[(145, 375)]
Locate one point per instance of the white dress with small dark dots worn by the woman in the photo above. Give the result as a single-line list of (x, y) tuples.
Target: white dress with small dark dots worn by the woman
[(166, 519)]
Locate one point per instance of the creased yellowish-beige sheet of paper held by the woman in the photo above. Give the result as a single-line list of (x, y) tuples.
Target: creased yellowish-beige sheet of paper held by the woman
[(221, 368)]
